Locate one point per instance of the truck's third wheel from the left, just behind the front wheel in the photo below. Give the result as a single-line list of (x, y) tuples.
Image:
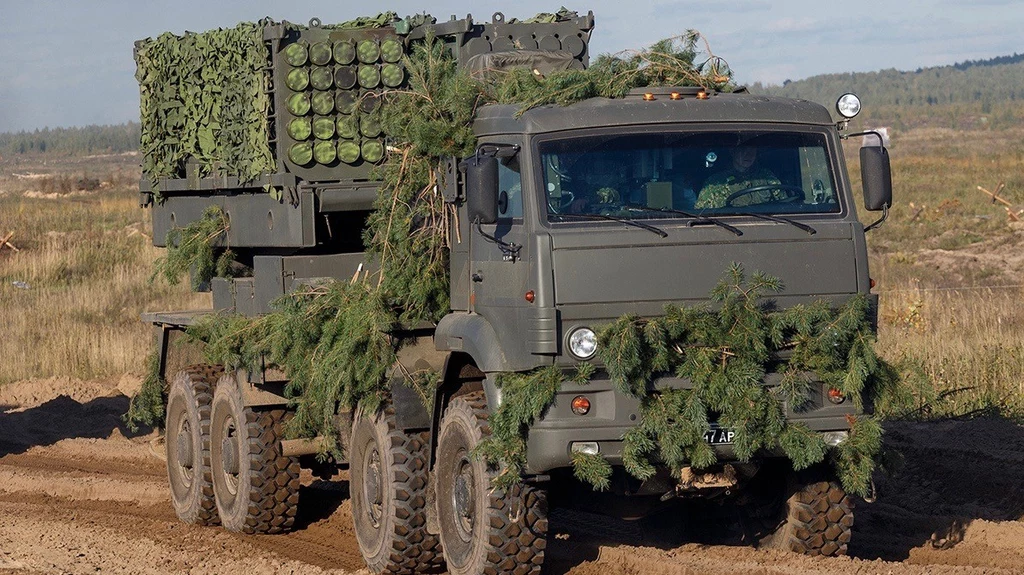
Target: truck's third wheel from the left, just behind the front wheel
[(389, 488)]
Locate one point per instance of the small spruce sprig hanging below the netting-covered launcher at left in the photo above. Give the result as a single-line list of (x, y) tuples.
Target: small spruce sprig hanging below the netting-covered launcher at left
[(191, 250)]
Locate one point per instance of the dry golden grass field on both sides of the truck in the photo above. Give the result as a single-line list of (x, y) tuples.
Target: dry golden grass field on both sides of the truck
[(949, 262)]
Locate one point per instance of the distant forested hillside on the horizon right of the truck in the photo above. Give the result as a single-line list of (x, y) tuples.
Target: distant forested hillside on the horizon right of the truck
[(985, 82)]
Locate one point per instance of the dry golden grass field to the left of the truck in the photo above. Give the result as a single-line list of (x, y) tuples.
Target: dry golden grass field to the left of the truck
[(71, 297)]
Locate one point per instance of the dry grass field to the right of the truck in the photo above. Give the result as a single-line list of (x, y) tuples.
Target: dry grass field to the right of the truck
[(950, 267)]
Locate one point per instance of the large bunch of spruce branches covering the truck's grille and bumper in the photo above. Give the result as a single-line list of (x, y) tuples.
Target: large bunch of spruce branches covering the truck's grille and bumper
[(726, 353)]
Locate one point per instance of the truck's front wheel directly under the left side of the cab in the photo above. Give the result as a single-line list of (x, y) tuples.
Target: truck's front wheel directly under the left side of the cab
[(506, 533)]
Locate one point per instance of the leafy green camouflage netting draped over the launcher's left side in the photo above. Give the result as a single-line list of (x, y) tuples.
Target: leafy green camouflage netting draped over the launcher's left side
[(204, 97)]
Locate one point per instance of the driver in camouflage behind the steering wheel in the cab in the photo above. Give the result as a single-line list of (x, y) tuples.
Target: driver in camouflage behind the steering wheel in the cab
[(744, 174)]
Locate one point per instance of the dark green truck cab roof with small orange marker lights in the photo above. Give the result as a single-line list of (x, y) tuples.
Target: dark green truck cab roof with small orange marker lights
[(658, 108)]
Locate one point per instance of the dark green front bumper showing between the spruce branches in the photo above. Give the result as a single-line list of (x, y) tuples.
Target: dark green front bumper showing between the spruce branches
[(614, 414)]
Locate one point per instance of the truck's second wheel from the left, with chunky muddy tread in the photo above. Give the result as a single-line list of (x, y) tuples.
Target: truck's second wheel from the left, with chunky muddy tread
[(257, 488)]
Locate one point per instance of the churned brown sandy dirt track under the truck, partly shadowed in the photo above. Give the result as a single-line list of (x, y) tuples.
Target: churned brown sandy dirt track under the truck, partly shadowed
[(80, 495)]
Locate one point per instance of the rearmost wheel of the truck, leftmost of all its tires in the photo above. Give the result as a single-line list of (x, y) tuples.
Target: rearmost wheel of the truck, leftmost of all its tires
[(188, 443)]
